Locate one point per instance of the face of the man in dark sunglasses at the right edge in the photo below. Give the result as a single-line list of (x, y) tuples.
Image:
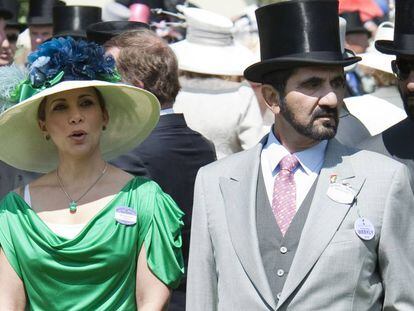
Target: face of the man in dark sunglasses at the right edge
[(404, 69)]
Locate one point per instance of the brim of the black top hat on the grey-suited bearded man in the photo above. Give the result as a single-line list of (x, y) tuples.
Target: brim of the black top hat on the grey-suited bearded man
[(257, 72)]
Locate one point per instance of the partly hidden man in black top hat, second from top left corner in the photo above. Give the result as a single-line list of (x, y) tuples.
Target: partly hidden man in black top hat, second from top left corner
[(40, 21)]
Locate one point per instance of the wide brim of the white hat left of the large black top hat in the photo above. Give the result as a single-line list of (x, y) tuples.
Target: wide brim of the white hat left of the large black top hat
[(228, 60)]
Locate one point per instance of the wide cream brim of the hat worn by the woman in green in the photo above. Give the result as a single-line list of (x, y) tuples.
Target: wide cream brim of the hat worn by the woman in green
[(133, 113)]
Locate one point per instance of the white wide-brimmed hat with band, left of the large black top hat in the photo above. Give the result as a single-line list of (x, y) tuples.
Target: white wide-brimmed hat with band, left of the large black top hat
[(209, 47)]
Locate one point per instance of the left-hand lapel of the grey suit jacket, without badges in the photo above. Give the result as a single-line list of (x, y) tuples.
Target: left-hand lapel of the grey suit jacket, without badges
[(239, 194)]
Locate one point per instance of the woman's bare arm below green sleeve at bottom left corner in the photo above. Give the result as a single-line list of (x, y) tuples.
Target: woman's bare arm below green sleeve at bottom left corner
[(12, 294)]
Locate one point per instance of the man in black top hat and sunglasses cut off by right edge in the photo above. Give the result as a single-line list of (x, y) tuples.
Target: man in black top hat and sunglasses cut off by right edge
[(396, 141)]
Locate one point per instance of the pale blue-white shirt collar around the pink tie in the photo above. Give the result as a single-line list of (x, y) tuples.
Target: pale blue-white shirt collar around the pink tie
[(311, 159)]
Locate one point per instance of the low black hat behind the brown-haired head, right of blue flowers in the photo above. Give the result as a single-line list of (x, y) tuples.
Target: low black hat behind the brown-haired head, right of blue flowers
[(103, 32)]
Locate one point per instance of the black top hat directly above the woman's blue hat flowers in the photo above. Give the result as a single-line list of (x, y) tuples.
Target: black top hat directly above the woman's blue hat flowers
[(73, 20)]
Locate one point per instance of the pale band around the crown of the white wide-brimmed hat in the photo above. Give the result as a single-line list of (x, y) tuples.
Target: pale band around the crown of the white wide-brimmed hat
[(202, 36)]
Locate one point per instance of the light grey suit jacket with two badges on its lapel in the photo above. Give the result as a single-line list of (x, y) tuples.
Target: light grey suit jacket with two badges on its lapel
[(333, 268)]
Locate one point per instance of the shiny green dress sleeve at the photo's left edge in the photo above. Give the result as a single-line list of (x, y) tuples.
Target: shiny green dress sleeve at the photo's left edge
[(8, 215)]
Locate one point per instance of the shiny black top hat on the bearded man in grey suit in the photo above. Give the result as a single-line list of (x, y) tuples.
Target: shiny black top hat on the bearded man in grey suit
[(298, 33)]
